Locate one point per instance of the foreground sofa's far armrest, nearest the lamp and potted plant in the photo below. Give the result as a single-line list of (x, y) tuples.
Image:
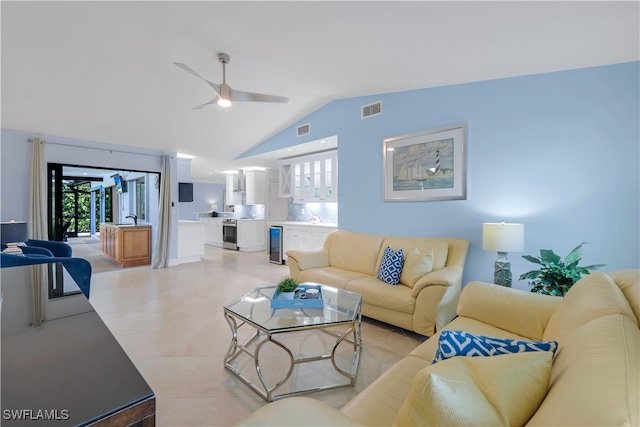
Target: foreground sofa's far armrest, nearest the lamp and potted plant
[(516, 311)]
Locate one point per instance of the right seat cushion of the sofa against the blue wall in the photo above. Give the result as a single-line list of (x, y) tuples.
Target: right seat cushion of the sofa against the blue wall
[(378, 293)]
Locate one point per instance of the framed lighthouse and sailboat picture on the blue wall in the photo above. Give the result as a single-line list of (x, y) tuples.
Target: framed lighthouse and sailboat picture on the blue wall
[(425, 166)]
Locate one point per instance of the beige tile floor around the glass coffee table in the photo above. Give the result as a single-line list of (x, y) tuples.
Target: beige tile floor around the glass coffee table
[(170, 322)]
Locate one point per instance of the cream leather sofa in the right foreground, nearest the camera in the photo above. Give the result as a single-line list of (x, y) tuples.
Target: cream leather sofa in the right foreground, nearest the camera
[(593, 379)]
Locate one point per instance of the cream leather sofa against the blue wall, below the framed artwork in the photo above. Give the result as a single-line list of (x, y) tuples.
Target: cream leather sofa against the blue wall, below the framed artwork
[(426, 298)]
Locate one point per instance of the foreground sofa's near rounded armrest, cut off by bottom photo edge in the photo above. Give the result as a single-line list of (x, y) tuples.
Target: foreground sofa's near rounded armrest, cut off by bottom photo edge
[(297, 411)]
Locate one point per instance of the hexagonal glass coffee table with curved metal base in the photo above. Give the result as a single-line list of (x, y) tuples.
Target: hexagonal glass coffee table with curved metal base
[(272, 350)]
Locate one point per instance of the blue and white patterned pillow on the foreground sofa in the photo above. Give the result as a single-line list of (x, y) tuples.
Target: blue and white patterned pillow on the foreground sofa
[(460, 343)]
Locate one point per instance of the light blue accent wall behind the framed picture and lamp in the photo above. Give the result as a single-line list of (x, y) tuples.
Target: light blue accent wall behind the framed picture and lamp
[(558, 152)]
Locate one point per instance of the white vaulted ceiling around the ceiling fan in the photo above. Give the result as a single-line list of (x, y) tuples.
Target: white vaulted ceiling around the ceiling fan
[(103, 71)]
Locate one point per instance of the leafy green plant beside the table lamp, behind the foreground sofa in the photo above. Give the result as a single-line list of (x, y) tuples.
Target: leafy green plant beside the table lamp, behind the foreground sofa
[(555, 276)]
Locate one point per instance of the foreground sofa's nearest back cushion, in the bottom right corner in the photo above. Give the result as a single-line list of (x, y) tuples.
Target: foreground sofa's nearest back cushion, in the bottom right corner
[(595, 379)]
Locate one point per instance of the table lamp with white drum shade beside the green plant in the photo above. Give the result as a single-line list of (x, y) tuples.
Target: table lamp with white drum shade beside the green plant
[(502, 237)]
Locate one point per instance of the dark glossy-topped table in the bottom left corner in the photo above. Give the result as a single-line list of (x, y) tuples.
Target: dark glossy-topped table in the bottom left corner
[(69, 371)]
